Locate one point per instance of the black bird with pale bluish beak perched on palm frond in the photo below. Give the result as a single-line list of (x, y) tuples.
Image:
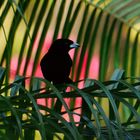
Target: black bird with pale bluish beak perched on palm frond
[(56, 64)]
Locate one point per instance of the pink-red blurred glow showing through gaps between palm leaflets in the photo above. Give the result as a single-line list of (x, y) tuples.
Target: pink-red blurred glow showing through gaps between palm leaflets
[(93, 72)]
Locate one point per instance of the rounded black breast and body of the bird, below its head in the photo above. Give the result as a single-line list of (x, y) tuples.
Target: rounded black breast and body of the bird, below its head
[(56, 68)]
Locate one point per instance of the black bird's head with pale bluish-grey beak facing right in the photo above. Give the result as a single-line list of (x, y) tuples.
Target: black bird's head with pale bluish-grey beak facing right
[(63, 45)]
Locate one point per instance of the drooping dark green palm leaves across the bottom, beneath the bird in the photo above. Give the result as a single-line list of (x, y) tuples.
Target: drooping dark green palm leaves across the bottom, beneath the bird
[(21, 116)]
